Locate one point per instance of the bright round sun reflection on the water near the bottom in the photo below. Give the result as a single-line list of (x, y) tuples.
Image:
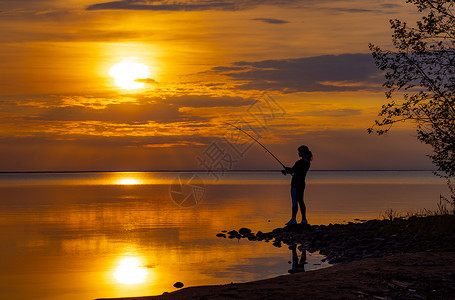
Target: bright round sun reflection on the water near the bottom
[(130, 270)]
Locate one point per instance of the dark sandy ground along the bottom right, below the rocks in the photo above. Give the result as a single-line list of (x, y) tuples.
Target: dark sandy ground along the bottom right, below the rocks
[(422, 275)]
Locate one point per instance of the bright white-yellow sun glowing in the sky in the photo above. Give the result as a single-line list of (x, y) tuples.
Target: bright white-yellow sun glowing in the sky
[(126, 73)]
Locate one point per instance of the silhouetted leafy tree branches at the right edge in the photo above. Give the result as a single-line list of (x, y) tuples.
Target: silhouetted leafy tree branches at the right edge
[(421, 69)]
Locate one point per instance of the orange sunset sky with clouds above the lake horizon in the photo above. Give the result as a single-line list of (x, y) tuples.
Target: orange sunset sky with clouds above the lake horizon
[(208, 62)]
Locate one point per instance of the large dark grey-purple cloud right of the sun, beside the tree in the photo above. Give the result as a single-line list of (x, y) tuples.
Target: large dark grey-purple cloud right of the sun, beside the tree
[(328, 73)]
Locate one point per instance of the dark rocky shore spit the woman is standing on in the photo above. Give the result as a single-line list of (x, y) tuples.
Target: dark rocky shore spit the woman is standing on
[(362, 239)]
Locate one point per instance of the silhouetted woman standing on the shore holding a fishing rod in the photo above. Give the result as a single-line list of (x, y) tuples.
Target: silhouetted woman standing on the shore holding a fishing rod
[(298, 172)]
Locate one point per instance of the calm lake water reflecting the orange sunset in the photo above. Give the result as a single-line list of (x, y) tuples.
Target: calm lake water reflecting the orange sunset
[(99, 235)]
